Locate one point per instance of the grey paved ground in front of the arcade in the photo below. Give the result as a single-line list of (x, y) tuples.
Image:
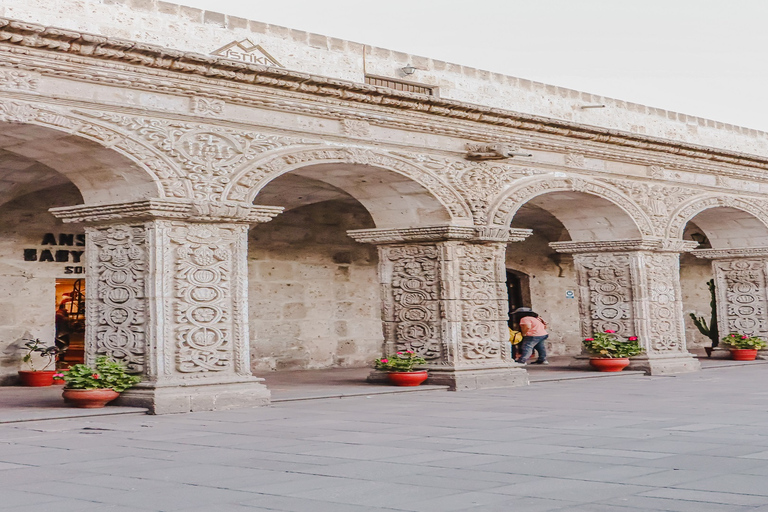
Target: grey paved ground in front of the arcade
[(696, 442)]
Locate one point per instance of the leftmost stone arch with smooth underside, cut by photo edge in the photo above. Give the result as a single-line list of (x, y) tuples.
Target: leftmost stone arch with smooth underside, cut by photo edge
[(137, 172)]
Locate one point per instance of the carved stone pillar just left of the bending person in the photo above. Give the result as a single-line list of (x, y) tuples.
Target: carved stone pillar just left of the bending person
[(444, 297)]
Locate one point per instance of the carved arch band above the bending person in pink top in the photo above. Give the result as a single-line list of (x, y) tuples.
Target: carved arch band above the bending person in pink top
[(503, 210)]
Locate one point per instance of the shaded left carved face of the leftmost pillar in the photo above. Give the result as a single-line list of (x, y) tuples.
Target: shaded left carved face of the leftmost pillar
[(117, 265)]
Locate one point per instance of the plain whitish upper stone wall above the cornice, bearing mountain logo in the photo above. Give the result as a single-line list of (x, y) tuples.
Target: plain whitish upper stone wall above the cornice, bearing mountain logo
[(194, 30)]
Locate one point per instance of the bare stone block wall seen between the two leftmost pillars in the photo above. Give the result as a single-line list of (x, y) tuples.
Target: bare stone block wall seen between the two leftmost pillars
[(314, 293)]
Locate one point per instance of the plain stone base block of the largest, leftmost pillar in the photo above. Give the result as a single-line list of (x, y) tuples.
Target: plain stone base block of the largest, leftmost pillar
[(170, 399)]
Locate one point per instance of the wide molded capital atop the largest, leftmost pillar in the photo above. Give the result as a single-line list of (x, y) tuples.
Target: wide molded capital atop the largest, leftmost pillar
[(167, 209)]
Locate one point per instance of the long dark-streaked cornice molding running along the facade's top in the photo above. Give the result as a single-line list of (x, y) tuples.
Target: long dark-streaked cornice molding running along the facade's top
[(22, 34)]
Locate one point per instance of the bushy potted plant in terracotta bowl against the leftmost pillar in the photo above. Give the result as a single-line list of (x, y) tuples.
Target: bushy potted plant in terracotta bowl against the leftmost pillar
[(92, 388)]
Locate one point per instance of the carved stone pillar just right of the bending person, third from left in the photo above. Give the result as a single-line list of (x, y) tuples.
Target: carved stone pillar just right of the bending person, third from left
[(633, 288)]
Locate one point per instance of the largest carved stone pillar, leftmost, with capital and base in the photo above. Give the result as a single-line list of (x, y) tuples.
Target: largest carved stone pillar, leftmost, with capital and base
[(166, 293)]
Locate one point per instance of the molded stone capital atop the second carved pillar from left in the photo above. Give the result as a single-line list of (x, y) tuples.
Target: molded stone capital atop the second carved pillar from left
[(439, 234)]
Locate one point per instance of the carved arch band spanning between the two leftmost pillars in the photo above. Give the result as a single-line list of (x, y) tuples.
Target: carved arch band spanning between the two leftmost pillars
[(246, 185)]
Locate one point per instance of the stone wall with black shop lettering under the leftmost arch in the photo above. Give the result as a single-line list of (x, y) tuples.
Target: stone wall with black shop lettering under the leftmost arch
[(27, 288)]
